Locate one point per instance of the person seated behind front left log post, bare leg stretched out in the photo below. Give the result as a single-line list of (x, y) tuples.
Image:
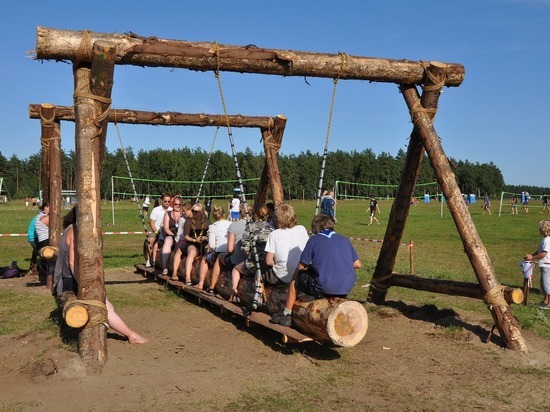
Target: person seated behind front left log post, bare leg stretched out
[(67, 277)]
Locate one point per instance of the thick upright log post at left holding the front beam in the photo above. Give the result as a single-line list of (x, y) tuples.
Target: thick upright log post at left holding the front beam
[(93, 84)]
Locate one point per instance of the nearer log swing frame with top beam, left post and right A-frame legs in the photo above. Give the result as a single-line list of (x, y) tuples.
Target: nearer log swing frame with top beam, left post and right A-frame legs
[(94, 56)]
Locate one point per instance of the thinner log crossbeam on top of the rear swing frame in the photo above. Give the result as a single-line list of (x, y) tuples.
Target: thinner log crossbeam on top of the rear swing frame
[(166, 118)]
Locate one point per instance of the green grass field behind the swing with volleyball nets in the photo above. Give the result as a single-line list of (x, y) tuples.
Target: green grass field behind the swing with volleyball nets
[(437, 253)]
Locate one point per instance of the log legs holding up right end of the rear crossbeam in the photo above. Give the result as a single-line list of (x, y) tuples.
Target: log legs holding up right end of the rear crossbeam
[(271, 176)]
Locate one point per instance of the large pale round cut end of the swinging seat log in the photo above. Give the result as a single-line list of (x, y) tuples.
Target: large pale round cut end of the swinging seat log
[(347, 324)]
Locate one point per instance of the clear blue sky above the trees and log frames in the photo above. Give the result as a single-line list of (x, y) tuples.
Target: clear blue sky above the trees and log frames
[(499, 114)]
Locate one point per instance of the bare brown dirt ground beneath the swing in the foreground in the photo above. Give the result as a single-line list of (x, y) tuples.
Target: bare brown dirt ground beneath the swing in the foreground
[(412, 358)]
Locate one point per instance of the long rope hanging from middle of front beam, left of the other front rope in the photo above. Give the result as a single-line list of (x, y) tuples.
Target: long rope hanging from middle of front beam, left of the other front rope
[(258, 298)]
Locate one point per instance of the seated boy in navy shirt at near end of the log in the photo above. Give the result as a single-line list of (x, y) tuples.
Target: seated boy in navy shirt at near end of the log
[(327, 268)]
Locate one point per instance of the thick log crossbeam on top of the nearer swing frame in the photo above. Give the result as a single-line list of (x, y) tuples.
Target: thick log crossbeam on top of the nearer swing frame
[(56, 44)]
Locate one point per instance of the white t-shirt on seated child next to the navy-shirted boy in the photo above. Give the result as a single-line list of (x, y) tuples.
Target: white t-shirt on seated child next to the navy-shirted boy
[(287, 245)]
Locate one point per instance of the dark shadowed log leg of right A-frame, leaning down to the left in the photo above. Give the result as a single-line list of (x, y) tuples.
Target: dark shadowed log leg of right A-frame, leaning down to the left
[(400, 209)]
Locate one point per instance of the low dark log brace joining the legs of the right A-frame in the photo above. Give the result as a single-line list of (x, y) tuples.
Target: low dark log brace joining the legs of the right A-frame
[(449, 287)]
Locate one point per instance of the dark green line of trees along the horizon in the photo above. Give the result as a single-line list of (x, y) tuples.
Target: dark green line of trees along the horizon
[(299, 172)]
